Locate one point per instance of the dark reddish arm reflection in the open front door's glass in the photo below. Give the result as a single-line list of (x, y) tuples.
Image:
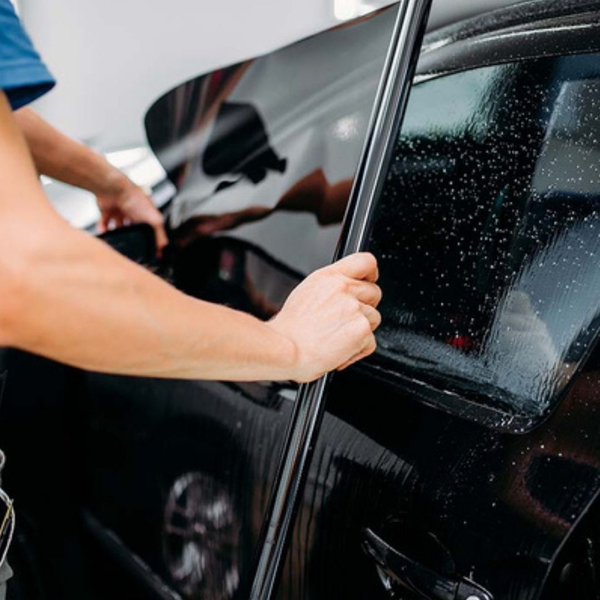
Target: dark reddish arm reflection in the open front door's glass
[(313, 194)]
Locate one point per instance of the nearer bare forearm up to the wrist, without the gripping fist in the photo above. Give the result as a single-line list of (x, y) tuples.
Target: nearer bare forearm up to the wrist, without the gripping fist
[(67, 296)]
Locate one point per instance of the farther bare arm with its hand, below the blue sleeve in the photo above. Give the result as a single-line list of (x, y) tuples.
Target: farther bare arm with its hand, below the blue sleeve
[(58, 156)]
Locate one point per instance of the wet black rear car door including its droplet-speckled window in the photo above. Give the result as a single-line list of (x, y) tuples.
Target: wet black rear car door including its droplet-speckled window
[(462, 460)]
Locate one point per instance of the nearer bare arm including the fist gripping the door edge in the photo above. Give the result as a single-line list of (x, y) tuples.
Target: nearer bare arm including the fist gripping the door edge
[(67, 296)]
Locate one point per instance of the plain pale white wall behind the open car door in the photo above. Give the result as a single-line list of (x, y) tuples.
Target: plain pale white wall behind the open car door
[(113, 59)]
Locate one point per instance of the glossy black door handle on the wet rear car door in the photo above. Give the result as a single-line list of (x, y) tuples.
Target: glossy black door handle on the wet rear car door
[(425, 582)]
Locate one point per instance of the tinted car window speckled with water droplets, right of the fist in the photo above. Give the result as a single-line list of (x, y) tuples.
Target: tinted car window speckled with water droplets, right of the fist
[(488, 234)]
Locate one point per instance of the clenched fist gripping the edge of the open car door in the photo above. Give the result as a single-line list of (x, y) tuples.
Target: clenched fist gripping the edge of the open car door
[(331, 316)]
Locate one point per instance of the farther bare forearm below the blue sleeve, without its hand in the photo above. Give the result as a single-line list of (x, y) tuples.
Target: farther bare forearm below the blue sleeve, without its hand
[(58, 156)]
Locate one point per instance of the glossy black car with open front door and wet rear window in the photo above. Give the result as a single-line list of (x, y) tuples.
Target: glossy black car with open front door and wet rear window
[(462, 460)]
